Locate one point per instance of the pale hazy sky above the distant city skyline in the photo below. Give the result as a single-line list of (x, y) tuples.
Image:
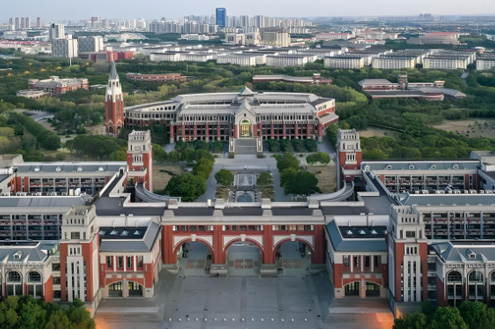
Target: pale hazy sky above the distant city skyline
[(73, 10)]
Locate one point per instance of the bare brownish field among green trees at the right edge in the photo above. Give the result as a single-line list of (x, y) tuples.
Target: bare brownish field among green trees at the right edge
[(470, 128)]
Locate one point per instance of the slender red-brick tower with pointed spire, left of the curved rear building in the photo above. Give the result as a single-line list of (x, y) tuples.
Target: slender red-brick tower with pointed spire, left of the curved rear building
[(114, 103)]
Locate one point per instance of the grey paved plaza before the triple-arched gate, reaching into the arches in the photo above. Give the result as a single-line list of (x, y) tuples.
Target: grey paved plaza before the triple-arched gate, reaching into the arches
[(192, 299)]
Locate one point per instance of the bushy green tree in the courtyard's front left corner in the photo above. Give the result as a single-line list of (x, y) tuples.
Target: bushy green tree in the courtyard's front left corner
[(187, 186)]
